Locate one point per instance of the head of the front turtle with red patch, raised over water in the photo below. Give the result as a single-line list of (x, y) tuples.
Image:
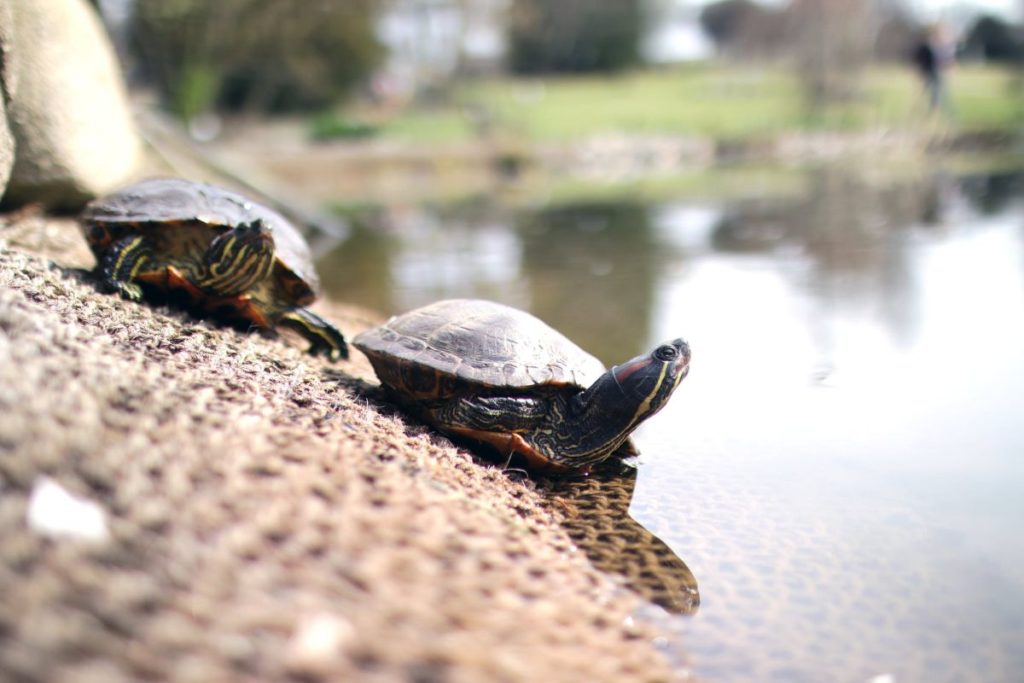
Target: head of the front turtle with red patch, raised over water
[(647, 382)]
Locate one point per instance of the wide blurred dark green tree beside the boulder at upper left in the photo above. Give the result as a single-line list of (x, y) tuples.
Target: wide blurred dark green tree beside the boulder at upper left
[(267, 56)]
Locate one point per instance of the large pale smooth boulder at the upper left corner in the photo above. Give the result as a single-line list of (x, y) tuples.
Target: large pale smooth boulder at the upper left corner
[(69, 113)]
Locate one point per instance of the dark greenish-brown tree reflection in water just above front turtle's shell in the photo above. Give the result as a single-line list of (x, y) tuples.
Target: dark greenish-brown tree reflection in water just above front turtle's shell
[(592, 270)]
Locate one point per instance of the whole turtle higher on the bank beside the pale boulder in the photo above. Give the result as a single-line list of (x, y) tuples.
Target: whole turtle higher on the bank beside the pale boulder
[(228, 254)]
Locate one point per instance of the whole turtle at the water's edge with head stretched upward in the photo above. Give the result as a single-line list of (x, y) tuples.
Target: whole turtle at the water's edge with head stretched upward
[(496, 375)]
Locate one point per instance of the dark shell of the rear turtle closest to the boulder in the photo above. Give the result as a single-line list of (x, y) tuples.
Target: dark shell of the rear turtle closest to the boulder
[(170, 203)]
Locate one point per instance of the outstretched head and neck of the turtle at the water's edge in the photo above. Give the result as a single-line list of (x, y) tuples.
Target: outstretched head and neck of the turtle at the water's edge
[(626, 396)]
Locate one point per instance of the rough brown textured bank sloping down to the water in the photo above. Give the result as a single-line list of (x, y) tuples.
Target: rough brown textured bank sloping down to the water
[(268, 520)]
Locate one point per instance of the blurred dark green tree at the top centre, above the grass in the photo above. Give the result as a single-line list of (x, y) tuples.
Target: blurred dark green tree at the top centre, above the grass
[(547, 36)]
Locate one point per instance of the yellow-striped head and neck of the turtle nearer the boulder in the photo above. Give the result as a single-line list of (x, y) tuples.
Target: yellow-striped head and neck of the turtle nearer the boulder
[(237, 261)]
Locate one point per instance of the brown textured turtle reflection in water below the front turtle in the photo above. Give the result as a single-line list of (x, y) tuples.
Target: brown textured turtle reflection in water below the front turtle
[(595, 514)]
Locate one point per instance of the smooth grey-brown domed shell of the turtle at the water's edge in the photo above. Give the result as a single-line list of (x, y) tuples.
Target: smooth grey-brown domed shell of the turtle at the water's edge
[(480, 344)]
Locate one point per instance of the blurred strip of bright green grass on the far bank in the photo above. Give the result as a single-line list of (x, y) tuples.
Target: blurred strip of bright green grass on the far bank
[(707, 101)]
